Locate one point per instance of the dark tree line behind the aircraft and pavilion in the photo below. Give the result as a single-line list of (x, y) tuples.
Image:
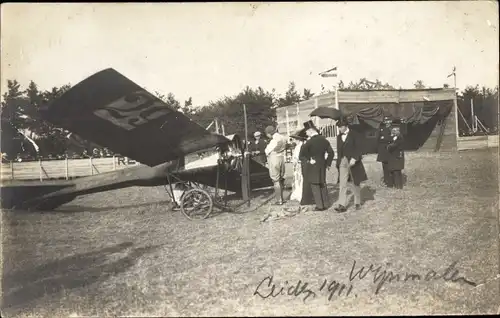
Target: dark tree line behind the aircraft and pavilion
[(25, 135)]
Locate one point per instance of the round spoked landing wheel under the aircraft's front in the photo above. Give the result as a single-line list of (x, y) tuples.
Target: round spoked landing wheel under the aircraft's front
[(196, 204)]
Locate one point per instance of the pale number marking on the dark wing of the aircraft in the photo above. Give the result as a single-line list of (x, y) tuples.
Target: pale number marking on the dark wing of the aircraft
[(133, 110)]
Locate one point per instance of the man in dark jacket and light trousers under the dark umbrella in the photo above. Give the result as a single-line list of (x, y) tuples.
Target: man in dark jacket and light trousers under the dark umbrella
[(349, 164)]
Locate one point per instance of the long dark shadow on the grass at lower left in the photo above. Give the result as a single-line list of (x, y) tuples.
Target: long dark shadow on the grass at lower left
[(75, 271)]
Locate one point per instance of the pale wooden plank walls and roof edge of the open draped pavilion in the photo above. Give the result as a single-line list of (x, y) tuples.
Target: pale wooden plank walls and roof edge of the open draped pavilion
[(397, 102)]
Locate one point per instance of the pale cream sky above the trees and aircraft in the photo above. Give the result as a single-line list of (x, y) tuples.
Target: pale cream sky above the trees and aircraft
[(211, 50)]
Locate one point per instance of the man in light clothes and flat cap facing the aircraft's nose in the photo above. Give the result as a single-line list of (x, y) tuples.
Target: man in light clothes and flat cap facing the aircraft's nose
[(275, 152)]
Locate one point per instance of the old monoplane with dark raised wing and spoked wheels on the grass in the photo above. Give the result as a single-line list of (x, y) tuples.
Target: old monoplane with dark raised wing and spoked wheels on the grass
[(112, 111)]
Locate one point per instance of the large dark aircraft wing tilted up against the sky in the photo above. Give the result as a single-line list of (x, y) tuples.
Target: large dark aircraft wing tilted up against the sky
[(110, 110)]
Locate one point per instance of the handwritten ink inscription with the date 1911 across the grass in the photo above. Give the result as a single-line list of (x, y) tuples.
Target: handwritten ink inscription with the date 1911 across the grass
[(268, 288)]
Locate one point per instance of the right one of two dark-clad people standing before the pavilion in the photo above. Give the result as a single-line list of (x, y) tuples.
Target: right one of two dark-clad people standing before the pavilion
[(396, 161)]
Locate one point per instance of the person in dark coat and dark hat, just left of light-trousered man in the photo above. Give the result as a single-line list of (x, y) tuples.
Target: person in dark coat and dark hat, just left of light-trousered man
[(313, 155)]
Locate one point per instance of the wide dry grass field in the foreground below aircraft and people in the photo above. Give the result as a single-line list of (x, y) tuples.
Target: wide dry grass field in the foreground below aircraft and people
[(125, 253)]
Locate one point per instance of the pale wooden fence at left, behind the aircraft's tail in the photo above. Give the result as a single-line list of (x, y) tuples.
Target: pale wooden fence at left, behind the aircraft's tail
[(62, 169)]
